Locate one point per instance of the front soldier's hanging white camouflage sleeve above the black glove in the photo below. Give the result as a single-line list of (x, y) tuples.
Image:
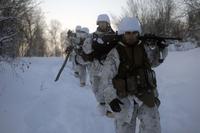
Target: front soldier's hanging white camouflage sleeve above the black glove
[(109, 71)]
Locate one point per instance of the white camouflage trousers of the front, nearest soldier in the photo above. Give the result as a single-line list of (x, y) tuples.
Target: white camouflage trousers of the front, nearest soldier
[(149, 121)]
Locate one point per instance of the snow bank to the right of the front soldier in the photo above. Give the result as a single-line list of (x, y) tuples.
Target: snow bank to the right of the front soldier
[(179, 87)]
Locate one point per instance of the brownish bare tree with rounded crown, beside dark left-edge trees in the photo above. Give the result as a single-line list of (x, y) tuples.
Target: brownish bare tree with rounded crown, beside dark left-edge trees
[(34, 34)]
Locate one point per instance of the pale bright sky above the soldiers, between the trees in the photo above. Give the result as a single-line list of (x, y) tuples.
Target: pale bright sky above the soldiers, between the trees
[(80, 12)]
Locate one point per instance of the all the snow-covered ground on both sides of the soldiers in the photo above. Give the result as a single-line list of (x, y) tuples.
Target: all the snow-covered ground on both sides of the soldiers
[(31, 102)]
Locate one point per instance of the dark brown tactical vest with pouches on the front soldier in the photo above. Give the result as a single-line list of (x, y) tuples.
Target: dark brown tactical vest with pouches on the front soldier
[(131, 78)]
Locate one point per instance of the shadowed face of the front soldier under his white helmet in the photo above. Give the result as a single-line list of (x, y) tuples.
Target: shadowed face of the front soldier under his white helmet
[(131, 38)]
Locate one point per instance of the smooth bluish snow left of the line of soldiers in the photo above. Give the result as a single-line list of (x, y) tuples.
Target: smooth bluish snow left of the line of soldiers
[(31, 102)]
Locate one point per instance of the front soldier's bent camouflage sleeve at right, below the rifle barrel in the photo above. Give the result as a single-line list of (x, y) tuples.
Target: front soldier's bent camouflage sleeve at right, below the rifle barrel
[(155, 54)]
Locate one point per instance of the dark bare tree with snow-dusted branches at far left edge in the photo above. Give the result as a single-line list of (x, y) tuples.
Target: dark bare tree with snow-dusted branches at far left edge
[(8, 30)]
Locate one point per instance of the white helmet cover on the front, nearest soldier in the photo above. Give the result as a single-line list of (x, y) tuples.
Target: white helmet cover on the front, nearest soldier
[(129, 24)]
